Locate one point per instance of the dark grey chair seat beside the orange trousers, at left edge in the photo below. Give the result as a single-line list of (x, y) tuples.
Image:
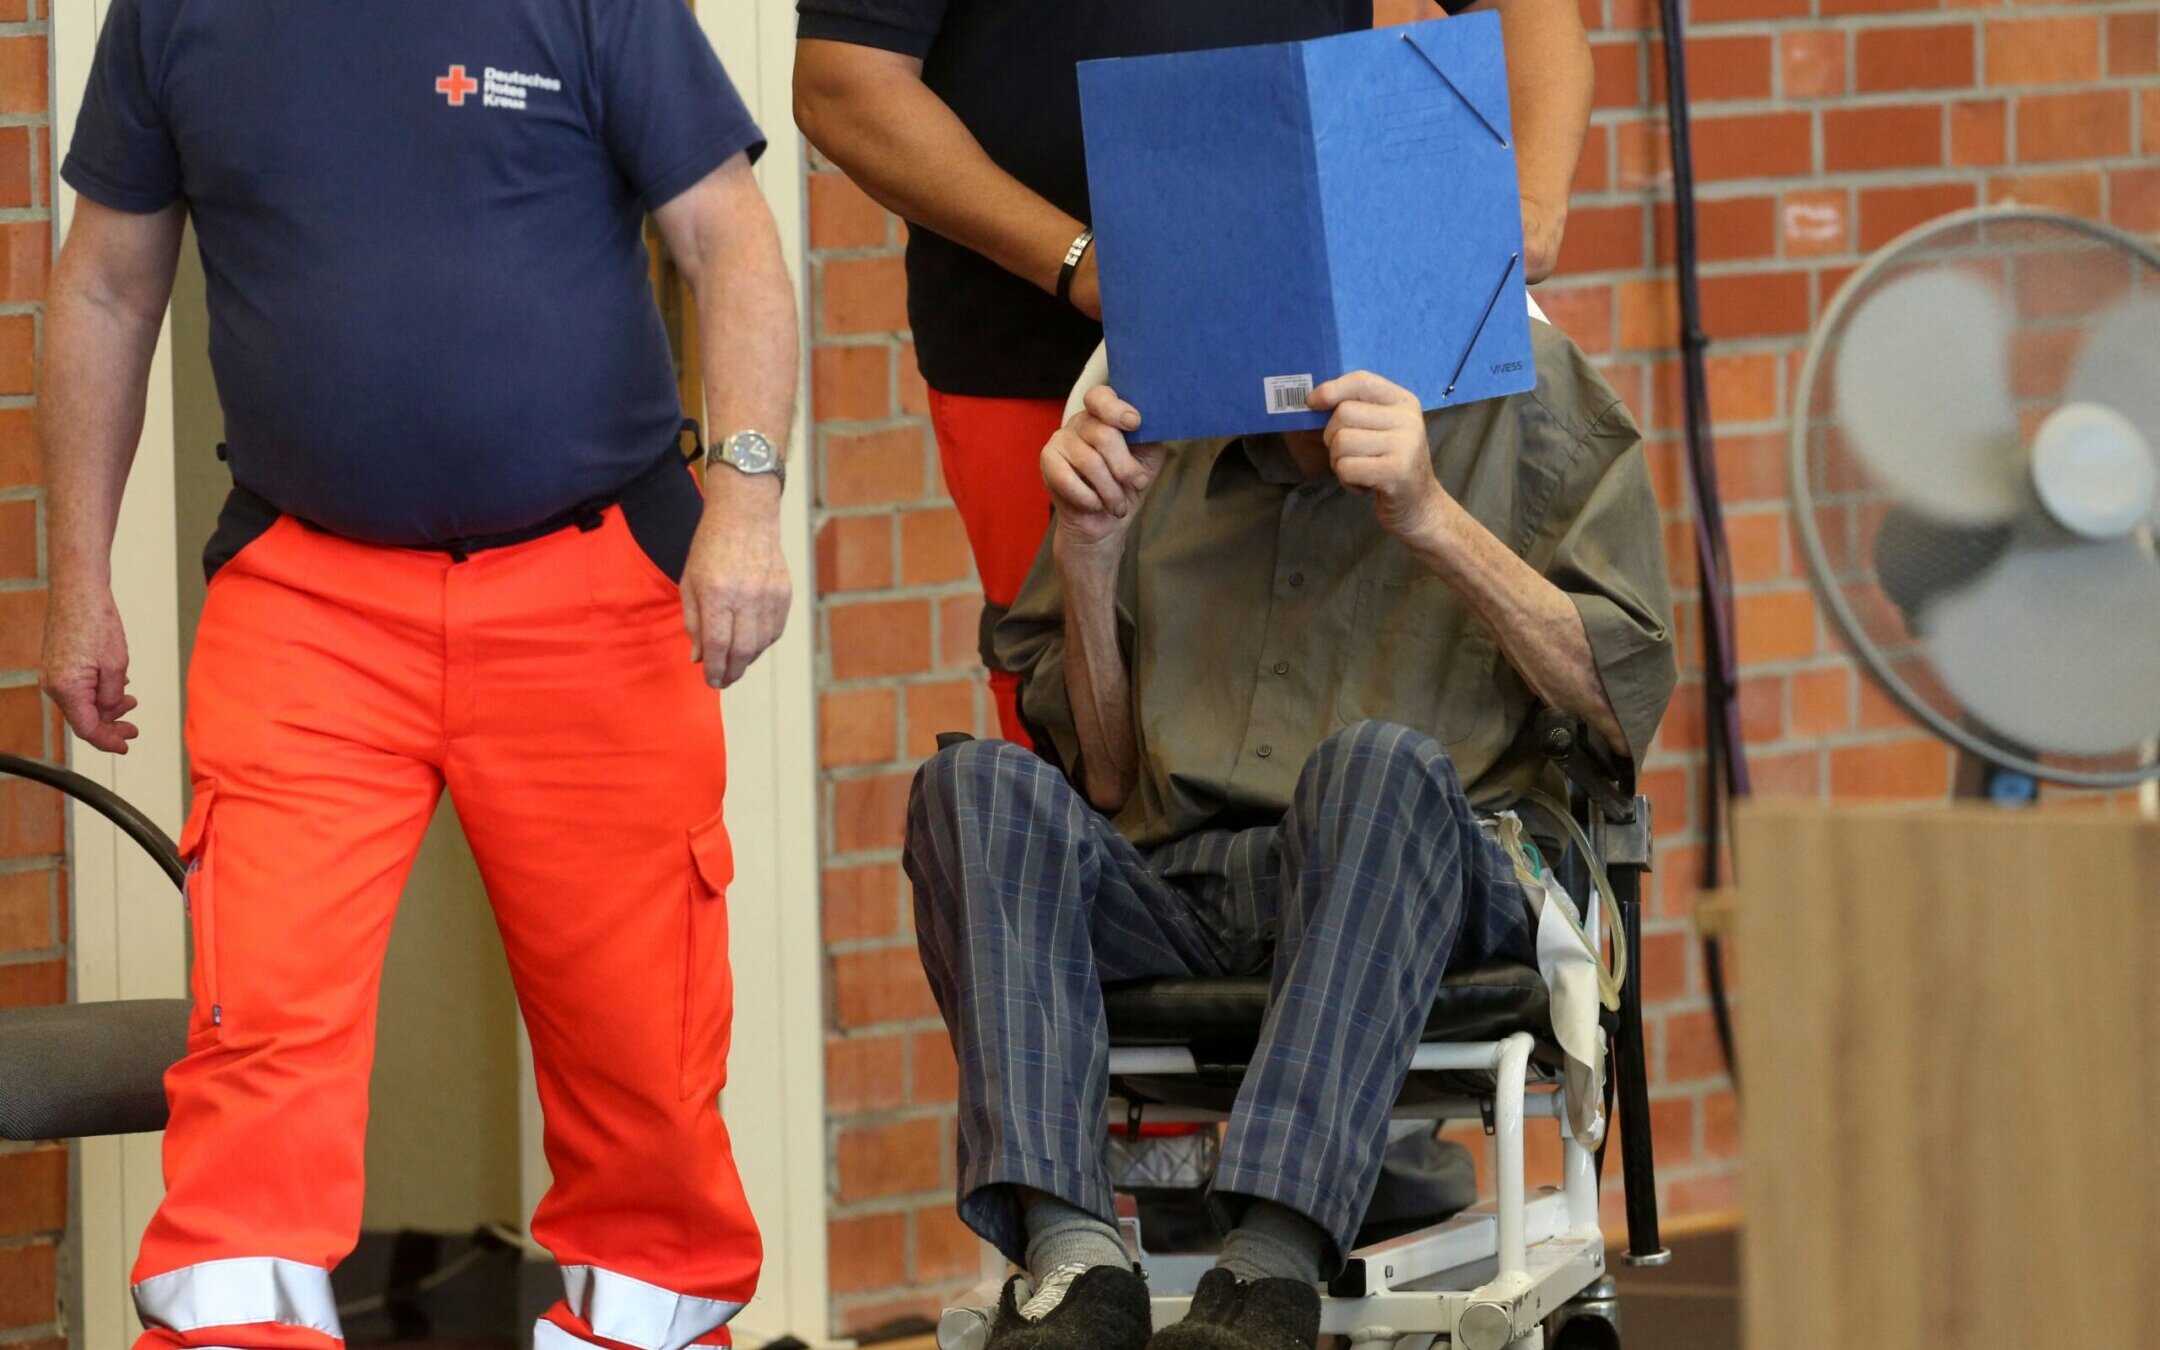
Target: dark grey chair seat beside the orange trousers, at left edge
[(90, 1068)]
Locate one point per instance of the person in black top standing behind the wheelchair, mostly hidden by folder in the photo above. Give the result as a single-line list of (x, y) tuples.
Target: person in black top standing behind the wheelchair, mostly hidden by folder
[(964, 120)]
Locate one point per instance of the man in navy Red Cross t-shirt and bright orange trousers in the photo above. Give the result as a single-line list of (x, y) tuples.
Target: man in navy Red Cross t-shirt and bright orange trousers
[(463, 554)]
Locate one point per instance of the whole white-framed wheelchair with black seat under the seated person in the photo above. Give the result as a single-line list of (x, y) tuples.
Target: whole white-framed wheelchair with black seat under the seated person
[(1517, 1273)]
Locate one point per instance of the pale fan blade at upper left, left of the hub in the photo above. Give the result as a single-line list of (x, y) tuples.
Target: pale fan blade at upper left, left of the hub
[(1923, 390)]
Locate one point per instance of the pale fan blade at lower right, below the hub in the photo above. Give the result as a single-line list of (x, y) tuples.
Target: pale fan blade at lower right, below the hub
[(2057, 649)]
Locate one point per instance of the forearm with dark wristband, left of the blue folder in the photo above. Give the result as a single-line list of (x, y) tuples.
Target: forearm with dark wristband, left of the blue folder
[(913, 154)]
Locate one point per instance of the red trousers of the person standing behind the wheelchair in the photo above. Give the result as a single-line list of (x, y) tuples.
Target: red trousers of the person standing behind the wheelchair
[(993, 461)]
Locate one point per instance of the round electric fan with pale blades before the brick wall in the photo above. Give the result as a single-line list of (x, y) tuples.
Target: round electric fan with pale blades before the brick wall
[(1977, 487)]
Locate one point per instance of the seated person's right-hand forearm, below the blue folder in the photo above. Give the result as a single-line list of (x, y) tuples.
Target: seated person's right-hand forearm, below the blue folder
[(1537, 623)]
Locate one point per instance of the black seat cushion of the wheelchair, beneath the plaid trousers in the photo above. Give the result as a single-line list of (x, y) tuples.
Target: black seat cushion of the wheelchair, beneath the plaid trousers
[(1219, 1018)]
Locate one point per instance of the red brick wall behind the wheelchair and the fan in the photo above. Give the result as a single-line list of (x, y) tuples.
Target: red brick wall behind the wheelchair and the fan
[(1822, 131)]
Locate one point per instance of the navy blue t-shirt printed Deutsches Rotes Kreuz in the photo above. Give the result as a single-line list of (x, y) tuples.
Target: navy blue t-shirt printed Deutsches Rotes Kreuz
[(422, 232)]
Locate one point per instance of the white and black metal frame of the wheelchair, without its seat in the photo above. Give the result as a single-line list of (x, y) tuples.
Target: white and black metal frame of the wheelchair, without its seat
[(1511, 1271)]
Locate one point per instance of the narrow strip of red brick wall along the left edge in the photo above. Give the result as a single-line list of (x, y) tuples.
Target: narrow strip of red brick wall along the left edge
[(33, 876)]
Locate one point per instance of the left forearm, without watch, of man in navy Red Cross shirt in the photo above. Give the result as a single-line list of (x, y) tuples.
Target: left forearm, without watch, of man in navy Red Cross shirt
[(94, 377)]
